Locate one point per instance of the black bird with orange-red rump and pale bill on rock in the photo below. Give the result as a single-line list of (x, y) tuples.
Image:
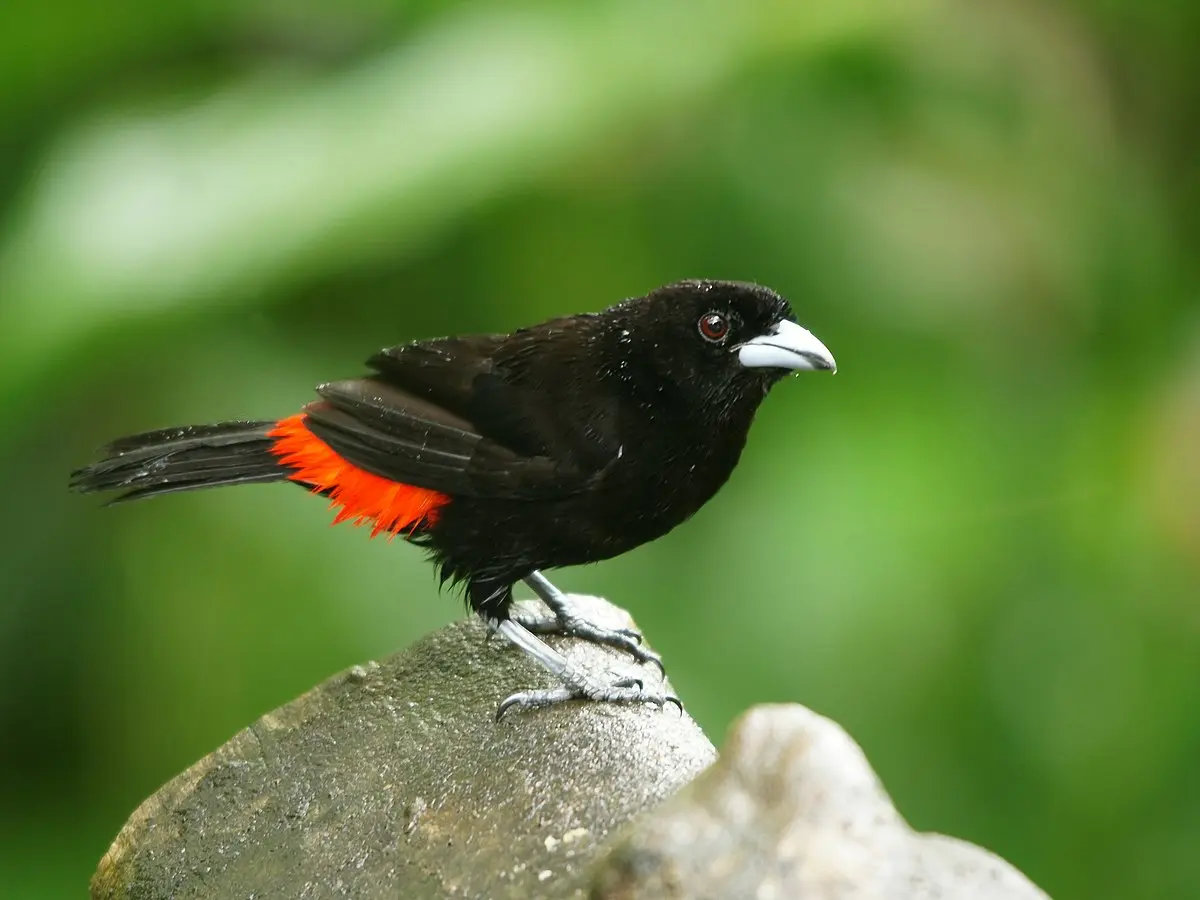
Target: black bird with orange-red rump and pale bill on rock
[(508, 455)]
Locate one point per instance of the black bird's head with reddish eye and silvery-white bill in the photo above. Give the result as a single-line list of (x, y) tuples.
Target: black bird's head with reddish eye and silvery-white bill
[(723, 340)]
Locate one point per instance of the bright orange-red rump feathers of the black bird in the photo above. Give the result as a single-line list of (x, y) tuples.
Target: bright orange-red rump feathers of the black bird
[(363, 497)]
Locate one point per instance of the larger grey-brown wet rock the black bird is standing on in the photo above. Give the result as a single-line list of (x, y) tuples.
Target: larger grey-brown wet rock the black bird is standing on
[(394, 781)]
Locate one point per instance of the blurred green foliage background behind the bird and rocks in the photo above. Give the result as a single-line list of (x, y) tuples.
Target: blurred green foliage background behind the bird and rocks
[(977, 547)]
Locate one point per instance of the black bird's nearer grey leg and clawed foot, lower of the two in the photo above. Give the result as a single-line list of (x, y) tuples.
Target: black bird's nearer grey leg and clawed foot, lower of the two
[(578, 683)]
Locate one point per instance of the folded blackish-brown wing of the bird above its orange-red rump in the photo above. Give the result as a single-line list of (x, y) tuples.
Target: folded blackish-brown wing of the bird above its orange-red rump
[(443, 416)]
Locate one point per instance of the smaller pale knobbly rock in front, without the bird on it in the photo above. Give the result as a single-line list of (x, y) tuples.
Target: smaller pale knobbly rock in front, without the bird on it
[(794, 811)]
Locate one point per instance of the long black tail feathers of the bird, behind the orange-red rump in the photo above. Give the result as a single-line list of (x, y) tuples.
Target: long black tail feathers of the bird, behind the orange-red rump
[(184, 460)]
